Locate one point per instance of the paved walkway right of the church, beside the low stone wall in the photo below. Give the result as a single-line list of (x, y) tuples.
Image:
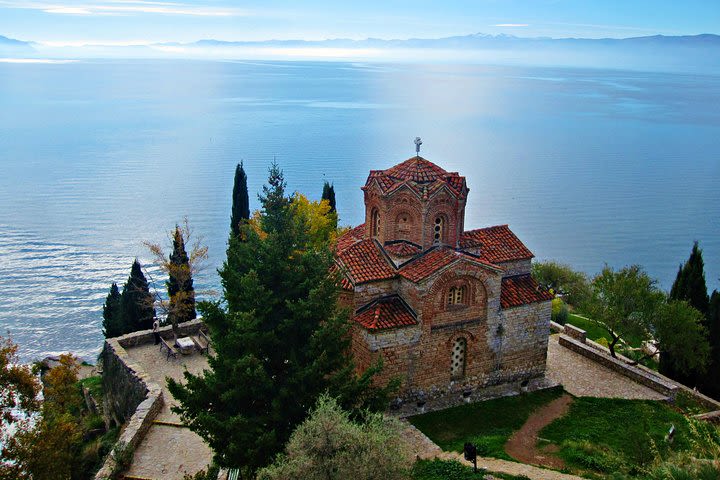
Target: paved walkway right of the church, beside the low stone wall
[(584, 378)]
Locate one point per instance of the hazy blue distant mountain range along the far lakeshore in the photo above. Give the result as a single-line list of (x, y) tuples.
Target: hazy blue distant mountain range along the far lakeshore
[(694, 53)]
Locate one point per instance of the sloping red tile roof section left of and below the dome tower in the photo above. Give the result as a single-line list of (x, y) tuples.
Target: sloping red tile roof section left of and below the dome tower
[(364, 261)]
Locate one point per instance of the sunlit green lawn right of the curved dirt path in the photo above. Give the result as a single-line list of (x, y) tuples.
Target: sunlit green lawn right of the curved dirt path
[(605, 435)]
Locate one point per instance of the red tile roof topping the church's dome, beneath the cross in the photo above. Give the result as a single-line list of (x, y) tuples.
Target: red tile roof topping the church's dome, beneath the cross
[(420, 175)]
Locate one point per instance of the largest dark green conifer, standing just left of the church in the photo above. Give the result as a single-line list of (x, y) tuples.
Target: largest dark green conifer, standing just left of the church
[(279, 338)]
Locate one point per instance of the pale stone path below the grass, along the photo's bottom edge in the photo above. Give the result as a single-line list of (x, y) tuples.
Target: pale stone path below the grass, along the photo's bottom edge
[(427, 449)]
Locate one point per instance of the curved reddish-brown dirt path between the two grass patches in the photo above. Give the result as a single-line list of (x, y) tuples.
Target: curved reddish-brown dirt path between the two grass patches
[(522, 446)]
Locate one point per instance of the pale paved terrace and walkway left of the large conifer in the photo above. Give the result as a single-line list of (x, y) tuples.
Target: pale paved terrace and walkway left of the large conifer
[(168, 451)]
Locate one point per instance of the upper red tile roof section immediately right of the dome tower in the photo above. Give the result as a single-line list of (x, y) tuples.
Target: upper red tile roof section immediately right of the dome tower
[(497, 244)]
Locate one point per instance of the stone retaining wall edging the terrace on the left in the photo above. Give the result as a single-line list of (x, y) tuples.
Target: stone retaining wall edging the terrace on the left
[(129, 391)]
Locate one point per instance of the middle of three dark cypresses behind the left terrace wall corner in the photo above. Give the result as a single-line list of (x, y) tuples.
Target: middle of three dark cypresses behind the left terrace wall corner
[(136, 302)]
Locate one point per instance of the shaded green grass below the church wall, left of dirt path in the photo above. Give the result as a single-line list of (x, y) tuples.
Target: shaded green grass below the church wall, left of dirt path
[(487, 424)]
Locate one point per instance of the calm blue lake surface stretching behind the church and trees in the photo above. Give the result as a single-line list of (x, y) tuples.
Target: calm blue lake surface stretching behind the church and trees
[(587, 166)]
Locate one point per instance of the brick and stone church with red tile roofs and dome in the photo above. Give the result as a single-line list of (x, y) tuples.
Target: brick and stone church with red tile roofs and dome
[(452, 313)]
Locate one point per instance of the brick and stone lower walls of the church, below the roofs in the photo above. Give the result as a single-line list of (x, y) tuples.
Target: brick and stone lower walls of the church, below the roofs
[(502, 346)]
